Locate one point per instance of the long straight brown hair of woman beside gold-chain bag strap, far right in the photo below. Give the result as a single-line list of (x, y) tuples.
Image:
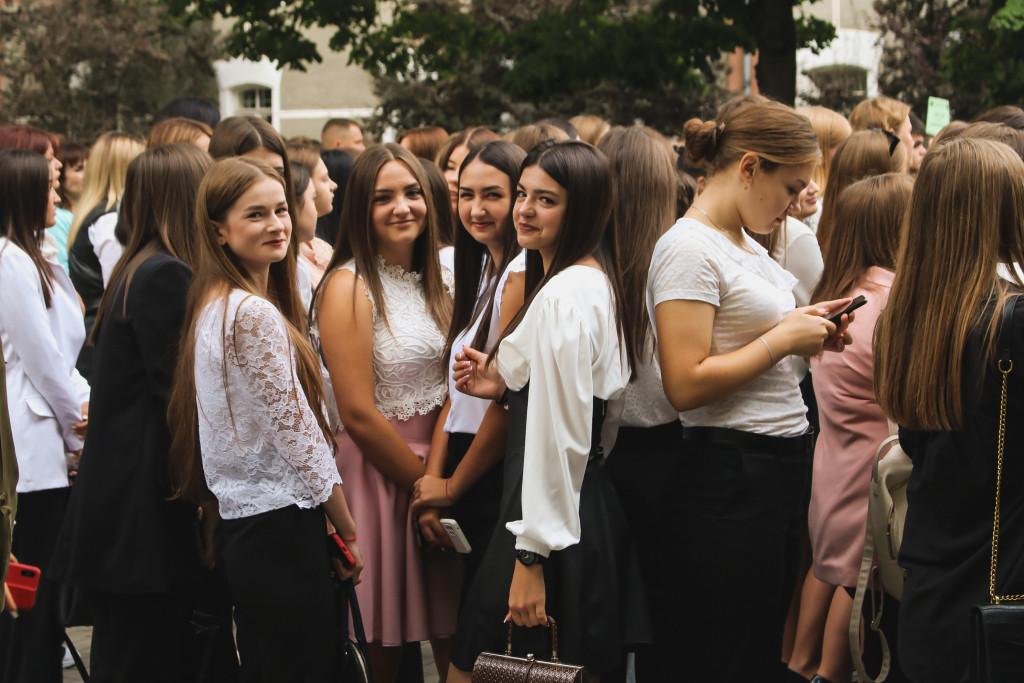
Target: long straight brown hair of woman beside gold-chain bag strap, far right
[(965, 221)]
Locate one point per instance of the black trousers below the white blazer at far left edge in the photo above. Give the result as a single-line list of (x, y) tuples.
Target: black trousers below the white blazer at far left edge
[(32, 646)]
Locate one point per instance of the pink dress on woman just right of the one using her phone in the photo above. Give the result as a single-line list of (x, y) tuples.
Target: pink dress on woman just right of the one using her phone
[(852, 429)]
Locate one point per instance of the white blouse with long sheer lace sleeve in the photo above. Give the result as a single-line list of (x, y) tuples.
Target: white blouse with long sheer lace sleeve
[(263, 448)]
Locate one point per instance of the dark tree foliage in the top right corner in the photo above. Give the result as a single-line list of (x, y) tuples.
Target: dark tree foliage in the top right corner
[(969, 52)]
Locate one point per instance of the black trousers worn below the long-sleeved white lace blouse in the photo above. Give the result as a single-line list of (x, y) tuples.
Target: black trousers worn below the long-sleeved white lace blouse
[(278, 576)]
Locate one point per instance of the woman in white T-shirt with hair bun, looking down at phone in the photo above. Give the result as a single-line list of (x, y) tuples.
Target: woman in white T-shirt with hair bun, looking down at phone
[(728, 330)]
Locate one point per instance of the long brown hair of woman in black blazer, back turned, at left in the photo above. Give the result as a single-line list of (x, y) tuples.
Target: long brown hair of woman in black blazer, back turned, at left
[(158, 214)]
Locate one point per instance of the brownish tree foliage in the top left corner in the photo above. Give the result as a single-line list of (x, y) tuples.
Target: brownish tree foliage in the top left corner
[(83, 67)]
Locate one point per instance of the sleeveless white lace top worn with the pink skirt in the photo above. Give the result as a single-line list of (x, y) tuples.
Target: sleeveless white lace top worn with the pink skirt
[(409, 375)]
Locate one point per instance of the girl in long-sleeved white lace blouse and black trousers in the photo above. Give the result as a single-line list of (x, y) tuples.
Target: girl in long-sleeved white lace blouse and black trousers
[(248, 396)]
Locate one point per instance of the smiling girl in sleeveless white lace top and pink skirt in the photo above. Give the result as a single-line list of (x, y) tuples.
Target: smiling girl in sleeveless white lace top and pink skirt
[(381, 313)]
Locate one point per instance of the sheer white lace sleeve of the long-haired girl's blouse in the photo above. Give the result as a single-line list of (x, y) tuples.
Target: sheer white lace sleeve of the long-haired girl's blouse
[(263, 351)]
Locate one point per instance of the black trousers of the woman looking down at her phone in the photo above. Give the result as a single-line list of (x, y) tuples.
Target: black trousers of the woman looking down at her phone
[(741, 511)]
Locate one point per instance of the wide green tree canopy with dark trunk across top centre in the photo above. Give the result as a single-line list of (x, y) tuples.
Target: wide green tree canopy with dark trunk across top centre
[(459, 62)]
